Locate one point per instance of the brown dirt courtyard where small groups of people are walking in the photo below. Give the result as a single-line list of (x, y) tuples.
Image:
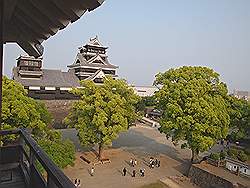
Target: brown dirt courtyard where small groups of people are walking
[(140, 143)]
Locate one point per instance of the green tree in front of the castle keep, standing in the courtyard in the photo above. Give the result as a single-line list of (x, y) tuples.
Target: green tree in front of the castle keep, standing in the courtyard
[(102, 112)]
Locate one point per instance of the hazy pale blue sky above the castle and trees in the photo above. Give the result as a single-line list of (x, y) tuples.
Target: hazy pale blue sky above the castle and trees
[(146, 37)]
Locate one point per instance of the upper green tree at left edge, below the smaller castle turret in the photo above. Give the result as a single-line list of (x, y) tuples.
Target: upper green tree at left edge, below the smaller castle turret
[(19, 110)]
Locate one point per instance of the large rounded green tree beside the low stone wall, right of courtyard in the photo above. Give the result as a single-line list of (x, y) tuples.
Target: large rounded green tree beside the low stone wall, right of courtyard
[(193, 102)]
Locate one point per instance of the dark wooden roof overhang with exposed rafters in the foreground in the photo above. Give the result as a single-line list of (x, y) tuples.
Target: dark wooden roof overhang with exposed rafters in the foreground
[(30, 22)]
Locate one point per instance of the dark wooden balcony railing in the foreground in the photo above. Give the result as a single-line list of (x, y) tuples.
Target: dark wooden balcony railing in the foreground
[(55, 177)]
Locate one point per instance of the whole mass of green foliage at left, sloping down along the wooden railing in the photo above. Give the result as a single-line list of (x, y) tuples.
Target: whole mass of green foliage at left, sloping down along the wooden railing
[(19, 110)]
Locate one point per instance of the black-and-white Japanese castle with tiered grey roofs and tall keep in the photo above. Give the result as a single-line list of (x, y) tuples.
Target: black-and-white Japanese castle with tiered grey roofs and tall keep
[(91, 64)]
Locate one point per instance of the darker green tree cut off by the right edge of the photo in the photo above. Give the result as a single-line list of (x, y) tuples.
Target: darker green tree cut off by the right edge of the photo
[(239, 111)]
